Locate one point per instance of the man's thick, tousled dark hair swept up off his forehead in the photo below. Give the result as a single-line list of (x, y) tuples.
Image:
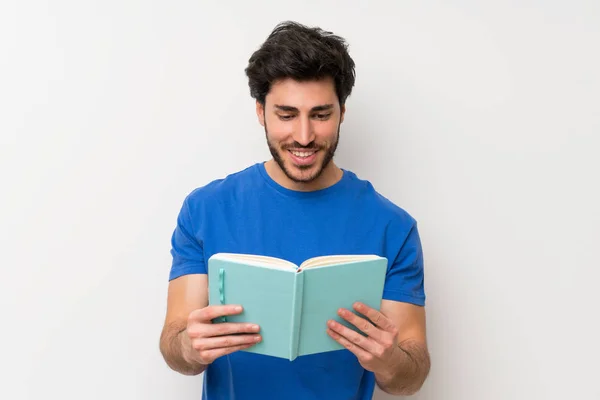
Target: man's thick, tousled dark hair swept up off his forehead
[(296, 51)]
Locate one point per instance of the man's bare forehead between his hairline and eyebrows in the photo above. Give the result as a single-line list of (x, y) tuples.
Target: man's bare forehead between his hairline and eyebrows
[(302, 95)]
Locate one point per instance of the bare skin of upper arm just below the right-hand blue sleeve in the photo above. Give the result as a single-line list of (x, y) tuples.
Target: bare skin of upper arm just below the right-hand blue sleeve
[(408, 318)]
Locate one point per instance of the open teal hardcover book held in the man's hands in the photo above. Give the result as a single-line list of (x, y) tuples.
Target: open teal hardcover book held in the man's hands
[(292, 303)]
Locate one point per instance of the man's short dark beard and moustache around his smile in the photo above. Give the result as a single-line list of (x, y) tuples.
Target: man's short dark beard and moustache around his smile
[(277, 153)]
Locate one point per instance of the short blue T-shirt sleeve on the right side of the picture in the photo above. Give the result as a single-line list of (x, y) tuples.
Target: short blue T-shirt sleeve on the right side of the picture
[(405, 277)]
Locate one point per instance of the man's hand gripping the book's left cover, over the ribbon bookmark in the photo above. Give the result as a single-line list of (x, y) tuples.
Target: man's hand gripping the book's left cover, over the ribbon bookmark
[(208, 341)]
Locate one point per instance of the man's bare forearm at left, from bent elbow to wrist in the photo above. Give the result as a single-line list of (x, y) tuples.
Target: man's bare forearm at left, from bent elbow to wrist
[(176, 350)]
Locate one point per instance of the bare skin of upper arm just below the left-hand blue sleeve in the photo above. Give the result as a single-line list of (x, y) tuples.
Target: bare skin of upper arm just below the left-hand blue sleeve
[(185, 294)]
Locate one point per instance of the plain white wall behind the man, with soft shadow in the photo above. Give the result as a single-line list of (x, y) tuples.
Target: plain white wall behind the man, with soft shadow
[(482, 119)]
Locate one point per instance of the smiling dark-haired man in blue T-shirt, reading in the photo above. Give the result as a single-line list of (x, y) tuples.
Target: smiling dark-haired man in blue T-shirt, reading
[(295, 206)]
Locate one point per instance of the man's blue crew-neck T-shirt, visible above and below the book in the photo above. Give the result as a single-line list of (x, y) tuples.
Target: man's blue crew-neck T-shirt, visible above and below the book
[(248, 212)]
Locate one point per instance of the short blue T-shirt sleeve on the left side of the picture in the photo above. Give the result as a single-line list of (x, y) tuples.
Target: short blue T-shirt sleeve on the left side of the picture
[(186, 248)]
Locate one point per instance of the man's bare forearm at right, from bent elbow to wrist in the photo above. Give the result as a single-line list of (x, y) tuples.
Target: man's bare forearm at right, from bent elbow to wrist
[(408, 370)]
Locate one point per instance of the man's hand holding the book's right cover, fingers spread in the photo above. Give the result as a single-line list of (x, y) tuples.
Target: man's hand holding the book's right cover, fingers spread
[(376, 352)]
